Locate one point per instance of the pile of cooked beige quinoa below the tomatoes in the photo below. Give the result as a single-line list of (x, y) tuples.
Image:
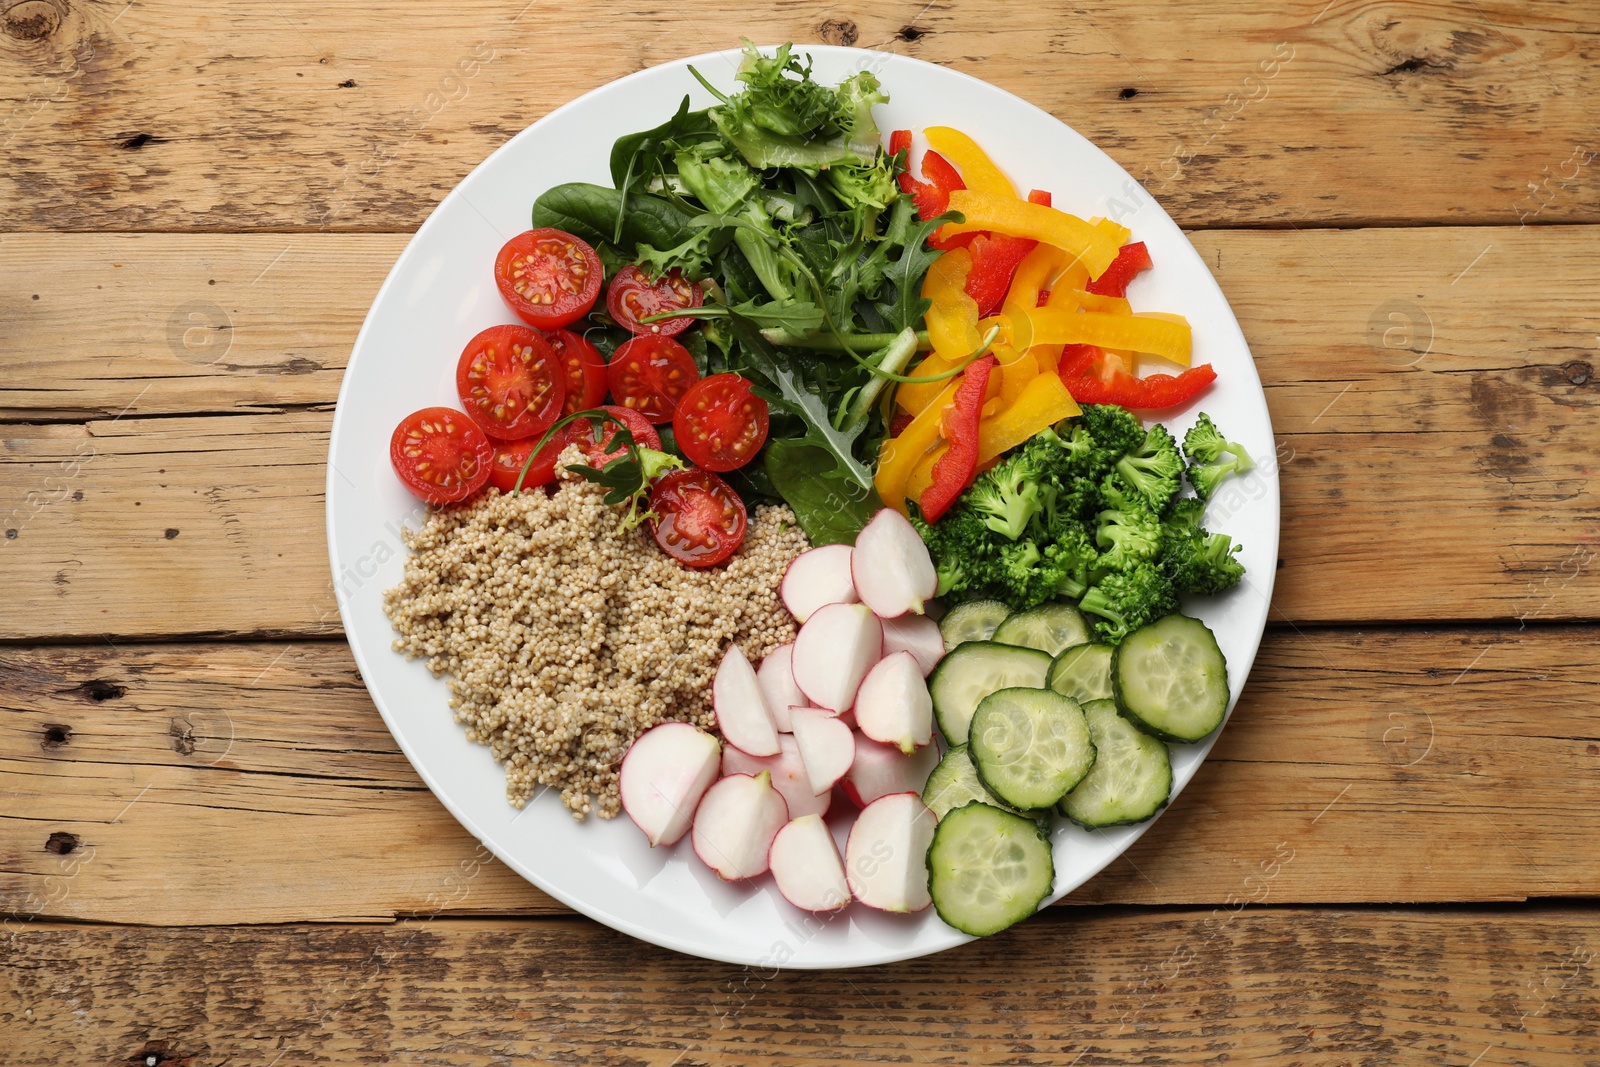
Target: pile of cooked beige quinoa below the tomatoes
[(566, 639)]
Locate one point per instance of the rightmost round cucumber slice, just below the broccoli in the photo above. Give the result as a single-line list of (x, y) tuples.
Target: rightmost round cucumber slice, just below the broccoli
[(1172, 679)]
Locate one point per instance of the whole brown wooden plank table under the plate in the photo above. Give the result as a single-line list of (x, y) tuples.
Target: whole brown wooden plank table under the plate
[(212, 850)]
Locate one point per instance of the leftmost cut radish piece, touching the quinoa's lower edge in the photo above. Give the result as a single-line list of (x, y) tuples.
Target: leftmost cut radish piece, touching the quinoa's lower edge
[(663, 778)]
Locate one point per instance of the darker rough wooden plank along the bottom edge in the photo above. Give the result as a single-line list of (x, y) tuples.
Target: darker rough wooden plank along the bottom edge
[(1369, 988)]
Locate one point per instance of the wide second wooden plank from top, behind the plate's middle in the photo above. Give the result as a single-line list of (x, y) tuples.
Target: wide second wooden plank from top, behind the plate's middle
[(1481, 428)]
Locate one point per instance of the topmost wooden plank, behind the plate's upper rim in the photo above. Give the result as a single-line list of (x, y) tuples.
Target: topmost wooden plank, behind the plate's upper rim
[(294, 116)]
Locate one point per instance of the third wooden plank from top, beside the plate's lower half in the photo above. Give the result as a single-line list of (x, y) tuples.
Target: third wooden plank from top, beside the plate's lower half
[(262, 777)]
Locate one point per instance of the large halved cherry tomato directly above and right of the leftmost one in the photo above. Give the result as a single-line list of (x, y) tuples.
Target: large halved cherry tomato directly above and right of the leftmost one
[(511, 383)]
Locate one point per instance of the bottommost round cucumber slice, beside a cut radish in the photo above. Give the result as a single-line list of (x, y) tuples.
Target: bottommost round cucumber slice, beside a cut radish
[(988, 869)]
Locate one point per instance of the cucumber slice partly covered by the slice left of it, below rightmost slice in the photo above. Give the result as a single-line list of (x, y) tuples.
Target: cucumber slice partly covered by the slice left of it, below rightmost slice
[(1132, 777)]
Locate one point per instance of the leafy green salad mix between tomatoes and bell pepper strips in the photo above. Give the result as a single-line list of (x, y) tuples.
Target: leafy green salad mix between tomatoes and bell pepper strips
[(780, 201)]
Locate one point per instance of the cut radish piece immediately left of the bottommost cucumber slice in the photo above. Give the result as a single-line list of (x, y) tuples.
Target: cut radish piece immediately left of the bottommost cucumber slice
[(887, 853)]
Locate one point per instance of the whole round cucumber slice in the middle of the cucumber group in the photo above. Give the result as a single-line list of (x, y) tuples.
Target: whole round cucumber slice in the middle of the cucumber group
[(1031, 746)]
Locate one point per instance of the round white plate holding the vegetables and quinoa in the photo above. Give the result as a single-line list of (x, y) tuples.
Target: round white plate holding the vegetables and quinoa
[(442, 292)]
